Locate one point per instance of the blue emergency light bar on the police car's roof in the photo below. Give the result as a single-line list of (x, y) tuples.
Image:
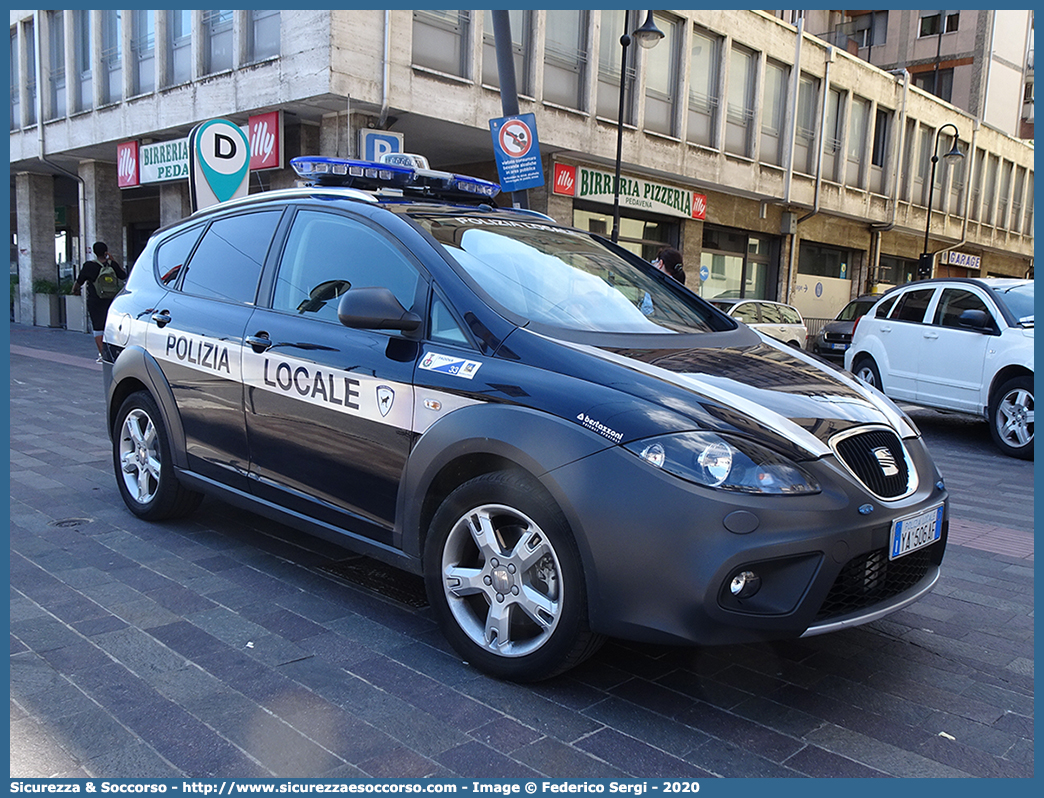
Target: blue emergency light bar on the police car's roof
[(373, 177)]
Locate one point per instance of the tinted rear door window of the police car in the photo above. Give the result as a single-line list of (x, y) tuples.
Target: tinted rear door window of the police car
[(228, 262)]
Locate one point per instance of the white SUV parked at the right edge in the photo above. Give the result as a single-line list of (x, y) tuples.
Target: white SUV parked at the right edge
[(964, 345)]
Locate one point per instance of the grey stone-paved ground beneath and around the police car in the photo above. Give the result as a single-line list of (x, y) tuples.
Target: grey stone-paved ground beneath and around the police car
[(226, 645)]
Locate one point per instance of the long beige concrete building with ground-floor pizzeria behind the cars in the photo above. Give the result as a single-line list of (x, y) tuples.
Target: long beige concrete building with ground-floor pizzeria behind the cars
[(781, 166)]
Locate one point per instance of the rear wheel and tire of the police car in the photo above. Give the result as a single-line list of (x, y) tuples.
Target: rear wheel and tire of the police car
[(144, 466)]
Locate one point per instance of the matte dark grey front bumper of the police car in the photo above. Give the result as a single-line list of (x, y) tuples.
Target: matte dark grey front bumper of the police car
[(659, 554)]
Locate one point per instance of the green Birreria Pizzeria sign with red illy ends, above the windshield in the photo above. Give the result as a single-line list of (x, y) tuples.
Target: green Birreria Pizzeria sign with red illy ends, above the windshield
[(596, 185)]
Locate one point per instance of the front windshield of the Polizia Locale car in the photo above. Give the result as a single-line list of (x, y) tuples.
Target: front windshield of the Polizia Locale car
[(565, 278)]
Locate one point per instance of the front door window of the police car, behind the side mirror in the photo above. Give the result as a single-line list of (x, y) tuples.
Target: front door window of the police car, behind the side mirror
[(327, 254)]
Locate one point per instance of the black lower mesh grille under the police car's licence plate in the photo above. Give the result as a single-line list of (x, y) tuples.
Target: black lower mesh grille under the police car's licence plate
[(871, 579)]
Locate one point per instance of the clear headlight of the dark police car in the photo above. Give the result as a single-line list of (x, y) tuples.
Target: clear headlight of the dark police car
[(731, 465)]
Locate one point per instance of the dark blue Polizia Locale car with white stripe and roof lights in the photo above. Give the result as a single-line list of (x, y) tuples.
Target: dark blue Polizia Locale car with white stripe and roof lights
[(565, 443)]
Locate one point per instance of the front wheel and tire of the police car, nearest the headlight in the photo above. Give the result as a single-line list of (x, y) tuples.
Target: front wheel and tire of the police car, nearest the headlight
[(505, 579)]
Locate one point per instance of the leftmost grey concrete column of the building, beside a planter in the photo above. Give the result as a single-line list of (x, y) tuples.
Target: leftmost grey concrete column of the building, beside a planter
[(35, 207)]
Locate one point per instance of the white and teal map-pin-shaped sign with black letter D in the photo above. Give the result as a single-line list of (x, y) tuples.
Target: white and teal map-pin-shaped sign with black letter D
[(220, 163)]
